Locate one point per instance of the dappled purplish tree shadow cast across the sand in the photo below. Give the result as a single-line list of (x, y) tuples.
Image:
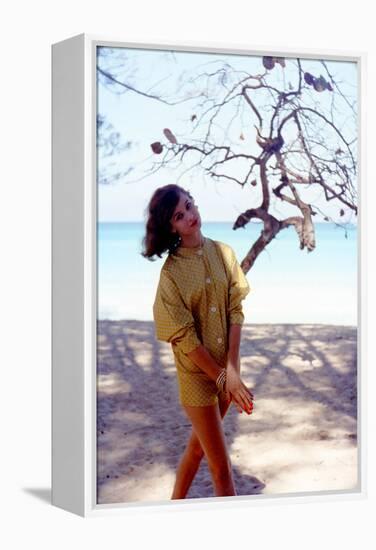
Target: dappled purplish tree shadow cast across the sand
[(138, 407)]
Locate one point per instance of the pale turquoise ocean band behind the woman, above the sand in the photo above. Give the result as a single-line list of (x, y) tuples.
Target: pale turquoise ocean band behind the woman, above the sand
[(288, 285)]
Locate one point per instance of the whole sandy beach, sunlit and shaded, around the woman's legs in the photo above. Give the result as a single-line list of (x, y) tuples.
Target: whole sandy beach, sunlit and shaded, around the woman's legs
[(302, 436)]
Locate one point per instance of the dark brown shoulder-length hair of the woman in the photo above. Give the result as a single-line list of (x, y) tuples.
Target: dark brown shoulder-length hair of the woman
[(159, 238)]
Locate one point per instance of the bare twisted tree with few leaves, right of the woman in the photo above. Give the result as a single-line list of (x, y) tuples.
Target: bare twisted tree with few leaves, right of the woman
[(284, 132)]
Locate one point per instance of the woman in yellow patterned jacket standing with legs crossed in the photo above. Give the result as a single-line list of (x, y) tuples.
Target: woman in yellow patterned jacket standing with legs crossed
[(198, 310)]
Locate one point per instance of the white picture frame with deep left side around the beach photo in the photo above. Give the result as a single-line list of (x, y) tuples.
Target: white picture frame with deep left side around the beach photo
[(74, 290)]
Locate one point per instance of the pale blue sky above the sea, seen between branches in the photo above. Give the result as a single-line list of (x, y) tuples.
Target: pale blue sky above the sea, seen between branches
[(141, 121)]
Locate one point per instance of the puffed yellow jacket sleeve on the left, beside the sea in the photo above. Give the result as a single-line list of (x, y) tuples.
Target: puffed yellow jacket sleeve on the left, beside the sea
[(174, 322)]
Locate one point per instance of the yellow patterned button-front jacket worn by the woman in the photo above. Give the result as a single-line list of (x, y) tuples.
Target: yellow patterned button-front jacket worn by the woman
[(199, 296)]
